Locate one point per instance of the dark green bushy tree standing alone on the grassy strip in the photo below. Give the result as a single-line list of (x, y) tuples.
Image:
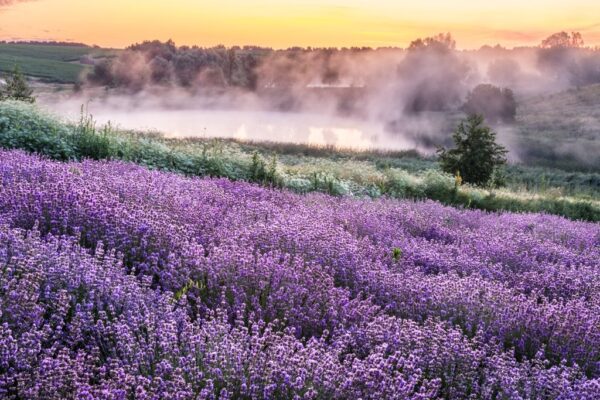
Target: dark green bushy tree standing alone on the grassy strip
[(476, 154)]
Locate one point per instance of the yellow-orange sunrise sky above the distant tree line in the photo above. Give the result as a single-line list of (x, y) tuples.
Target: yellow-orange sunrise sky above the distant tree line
[(284, 23)]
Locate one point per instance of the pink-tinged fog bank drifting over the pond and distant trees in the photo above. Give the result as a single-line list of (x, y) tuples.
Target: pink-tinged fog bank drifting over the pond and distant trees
[(391, 99)]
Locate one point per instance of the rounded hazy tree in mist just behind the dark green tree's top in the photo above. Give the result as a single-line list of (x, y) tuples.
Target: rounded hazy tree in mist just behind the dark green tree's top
[(493, 103)]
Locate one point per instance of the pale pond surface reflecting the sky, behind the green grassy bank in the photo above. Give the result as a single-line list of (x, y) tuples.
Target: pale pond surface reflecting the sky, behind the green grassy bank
[(314, 129)]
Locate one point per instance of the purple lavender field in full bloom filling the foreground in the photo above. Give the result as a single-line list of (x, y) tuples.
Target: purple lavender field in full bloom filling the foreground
[(117, 282)]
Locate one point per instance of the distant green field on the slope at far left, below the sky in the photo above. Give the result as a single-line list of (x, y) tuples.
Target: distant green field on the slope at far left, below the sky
[(61, 64)]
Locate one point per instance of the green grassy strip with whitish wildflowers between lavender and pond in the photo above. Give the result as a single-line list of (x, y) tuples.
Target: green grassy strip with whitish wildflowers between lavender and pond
[(301, 168)]
